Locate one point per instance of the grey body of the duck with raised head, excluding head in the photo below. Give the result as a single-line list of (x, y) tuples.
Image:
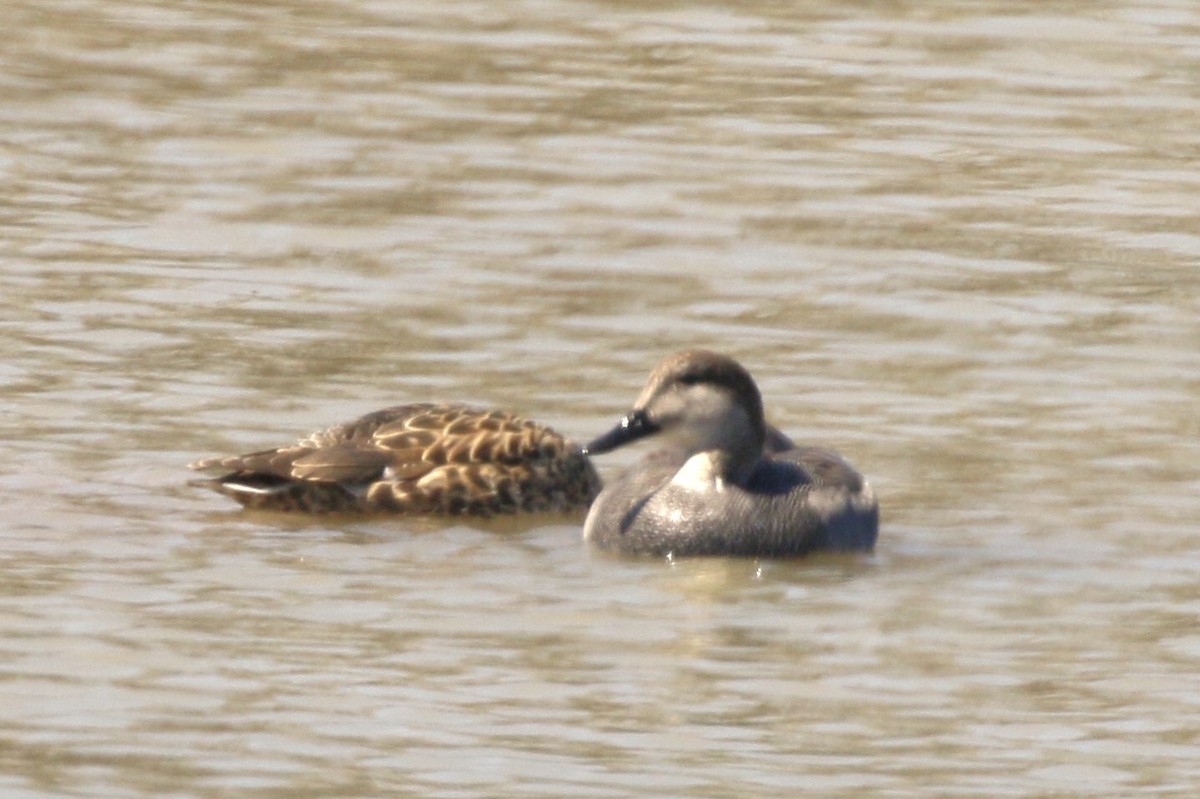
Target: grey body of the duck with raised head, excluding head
[(795, 503)]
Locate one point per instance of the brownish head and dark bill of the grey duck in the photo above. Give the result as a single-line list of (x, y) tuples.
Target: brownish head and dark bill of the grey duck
[(700, 401)]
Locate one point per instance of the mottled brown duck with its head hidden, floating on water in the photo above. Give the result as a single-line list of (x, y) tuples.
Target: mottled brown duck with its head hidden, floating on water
[(422, 459)]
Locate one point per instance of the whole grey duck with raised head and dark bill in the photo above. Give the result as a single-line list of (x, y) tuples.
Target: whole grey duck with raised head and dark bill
[(724, 483)]
